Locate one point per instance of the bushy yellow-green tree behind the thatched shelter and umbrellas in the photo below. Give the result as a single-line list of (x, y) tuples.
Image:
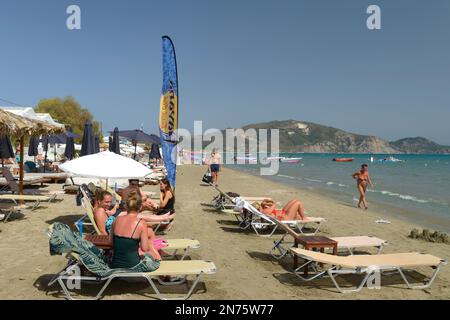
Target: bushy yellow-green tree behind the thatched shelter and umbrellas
[(68, 112)]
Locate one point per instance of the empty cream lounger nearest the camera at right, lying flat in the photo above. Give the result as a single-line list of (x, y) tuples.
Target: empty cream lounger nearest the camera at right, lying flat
[(369, 266)]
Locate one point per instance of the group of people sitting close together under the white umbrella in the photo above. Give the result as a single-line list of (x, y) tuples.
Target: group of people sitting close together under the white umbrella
[(129, 224)]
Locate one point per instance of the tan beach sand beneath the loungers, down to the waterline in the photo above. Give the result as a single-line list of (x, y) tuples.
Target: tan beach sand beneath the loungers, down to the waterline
[(245, 270)]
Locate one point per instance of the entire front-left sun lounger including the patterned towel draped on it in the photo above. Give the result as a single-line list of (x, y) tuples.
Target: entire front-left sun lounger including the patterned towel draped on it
[(82, 254)]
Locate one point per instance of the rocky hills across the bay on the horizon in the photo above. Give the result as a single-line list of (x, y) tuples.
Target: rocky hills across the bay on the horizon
[(302, 136)]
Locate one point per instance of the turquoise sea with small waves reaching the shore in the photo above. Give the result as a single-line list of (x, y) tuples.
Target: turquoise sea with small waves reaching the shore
[(416, 189)]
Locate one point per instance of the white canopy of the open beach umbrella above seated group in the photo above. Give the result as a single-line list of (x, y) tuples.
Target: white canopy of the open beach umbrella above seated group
[(106, 165)]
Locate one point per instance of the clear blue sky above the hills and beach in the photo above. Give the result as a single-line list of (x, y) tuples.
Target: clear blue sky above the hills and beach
[(239, 62)]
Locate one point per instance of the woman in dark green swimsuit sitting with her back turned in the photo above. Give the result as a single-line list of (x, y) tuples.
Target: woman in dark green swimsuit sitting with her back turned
[(129, 236)]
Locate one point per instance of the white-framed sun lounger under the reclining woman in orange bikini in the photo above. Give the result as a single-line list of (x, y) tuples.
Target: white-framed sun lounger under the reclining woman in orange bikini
[(258, 220)]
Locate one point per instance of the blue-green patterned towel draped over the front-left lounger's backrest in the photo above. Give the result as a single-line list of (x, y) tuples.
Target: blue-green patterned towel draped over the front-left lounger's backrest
[(64, 240)]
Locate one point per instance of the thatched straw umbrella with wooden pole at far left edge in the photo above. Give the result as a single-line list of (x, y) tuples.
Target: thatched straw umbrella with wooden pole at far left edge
[(21, 127)]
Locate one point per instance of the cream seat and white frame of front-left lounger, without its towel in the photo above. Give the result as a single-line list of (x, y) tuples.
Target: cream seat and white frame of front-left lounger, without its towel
[(183, 268)]
